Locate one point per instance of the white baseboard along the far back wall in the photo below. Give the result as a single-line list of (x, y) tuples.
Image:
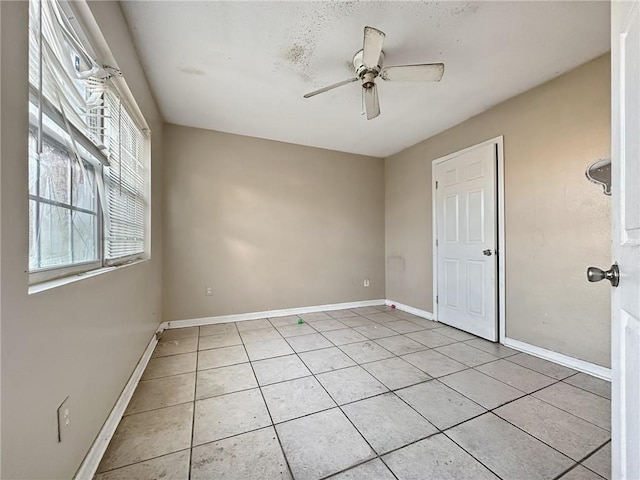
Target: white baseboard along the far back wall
[(196, 322)]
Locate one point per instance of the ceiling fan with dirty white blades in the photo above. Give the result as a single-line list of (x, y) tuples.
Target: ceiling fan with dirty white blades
[(368, 65)]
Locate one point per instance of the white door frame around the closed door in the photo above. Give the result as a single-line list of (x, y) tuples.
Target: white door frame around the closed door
[(500, 247)]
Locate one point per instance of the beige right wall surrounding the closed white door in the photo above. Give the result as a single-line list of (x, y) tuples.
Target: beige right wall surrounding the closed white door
[(557, 223)]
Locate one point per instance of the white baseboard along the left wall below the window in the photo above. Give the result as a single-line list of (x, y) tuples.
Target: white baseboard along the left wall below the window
[(92, 460)]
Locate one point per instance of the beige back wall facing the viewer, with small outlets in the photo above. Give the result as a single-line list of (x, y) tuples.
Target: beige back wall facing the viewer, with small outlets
[(267, 225)]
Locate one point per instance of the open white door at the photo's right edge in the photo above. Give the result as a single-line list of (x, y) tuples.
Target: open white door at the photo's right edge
[(625, 333)]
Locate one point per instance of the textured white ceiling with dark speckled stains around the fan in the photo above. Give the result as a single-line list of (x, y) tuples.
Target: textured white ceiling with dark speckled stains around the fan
[(243, 67)]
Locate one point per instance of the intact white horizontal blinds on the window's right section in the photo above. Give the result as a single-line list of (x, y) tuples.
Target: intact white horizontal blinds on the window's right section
[(125, 184)]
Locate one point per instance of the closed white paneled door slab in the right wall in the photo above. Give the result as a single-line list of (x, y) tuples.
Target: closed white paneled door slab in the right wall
[(465, 207)]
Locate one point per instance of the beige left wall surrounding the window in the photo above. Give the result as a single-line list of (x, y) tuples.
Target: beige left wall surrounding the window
[(77, 340)]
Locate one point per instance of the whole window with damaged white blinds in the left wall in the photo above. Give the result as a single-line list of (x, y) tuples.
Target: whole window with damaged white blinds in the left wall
[(88, 145)]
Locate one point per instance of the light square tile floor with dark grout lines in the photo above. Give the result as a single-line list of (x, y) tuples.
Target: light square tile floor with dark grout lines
[(367, 393)]
